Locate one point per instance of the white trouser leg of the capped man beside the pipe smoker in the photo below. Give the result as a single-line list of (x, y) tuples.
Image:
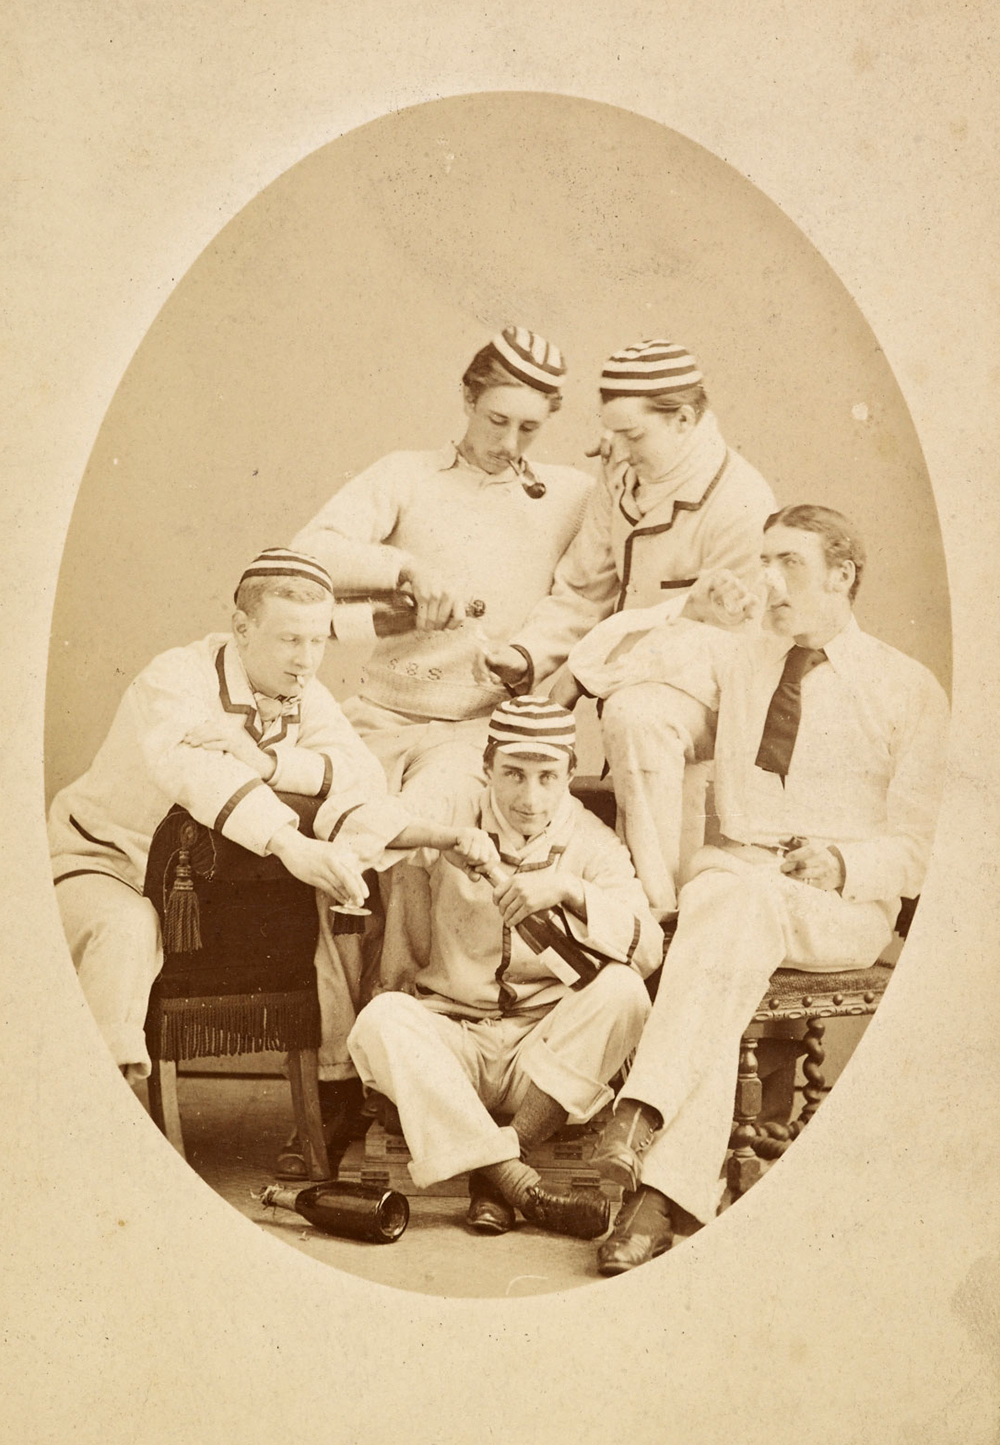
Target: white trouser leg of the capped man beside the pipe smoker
[(651, 733)]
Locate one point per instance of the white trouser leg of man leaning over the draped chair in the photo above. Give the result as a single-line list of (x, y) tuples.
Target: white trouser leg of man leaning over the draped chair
[(115, 943)]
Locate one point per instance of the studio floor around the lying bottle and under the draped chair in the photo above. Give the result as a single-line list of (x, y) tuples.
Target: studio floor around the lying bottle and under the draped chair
[(233, 1132)]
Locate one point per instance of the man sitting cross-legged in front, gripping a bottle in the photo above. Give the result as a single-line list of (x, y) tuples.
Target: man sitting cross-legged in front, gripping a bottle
[(493, 1027)]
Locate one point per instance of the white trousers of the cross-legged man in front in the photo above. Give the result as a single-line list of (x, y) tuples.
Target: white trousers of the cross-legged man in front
[(447, 1076)]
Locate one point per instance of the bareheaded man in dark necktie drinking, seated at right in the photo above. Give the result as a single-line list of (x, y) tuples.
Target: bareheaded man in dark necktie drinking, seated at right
[(829, 775)]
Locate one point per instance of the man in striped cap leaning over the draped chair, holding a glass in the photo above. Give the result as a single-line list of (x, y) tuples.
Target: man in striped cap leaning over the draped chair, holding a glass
[(222, 728)]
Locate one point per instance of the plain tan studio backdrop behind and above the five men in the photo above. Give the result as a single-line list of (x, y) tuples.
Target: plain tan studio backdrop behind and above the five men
[(330, 323)]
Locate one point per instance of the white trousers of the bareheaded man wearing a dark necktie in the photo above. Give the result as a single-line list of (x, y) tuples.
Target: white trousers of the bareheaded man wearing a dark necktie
[(741, 920)]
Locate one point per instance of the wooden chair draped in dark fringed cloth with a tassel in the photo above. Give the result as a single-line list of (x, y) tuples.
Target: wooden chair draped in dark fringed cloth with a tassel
[(239, 973)]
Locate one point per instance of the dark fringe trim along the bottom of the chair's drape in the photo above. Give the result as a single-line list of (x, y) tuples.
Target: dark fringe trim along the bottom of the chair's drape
[(242, 1024)]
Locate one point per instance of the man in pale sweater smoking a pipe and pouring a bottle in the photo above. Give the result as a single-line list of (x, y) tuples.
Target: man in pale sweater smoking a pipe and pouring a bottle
[(470, 521)]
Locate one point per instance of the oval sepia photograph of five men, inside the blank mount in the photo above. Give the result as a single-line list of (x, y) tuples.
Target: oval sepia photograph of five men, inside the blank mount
[(281, 428)]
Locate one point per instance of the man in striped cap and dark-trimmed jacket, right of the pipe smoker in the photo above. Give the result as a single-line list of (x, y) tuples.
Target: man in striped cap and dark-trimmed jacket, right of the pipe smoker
[(674, 502)]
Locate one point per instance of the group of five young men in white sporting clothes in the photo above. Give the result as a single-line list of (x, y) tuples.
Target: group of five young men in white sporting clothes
[(829, 755)]
